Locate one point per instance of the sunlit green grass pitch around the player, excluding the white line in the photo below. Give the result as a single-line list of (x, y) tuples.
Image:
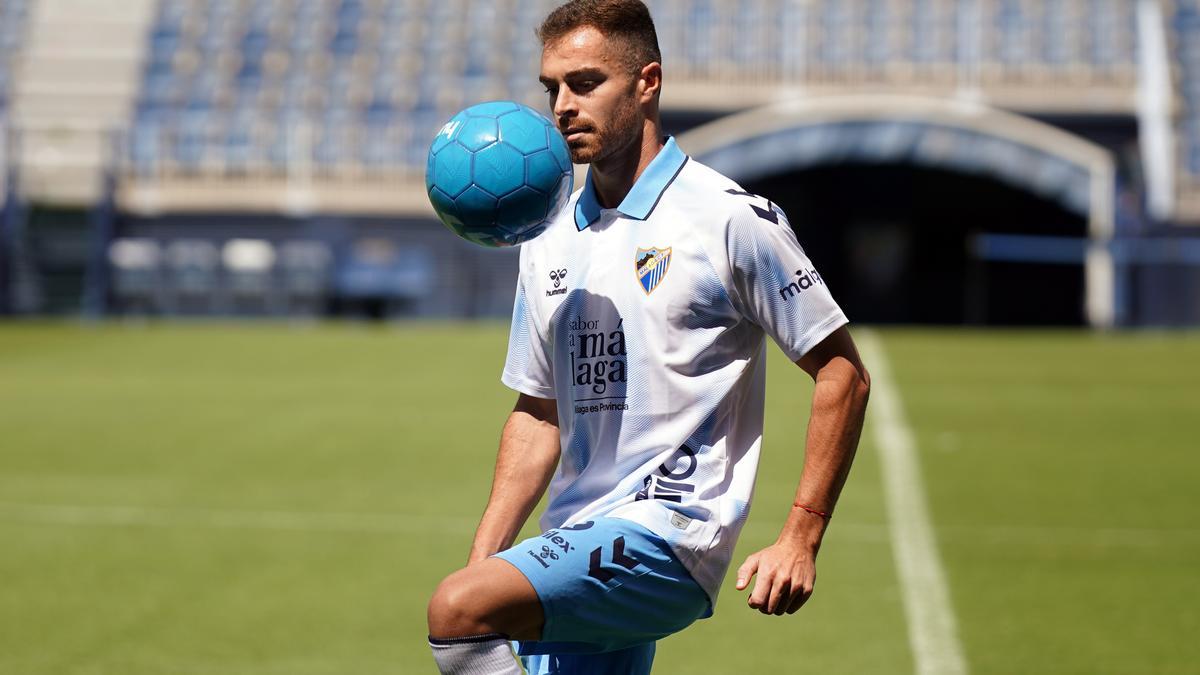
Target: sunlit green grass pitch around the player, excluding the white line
[(263, 499)]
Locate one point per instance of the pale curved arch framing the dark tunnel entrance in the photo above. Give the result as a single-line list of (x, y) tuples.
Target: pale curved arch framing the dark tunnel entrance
[(952, 135)]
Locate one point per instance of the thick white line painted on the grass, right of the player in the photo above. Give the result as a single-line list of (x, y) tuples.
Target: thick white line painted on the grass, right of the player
[(933, 631)]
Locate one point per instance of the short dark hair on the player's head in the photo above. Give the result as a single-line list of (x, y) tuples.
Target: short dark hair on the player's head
[(628, 21)]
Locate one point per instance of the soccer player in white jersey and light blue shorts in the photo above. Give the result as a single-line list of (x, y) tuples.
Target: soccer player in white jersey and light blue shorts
[(638, 350)]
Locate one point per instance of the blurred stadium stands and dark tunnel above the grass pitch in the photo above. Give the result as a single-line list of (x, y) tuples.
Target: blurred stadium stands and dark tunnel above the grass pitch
[(949, 163)]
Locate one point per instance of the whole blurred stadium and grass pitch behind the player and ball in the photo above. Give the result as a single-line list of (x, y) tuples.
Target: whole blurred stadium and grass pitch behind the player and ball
[(273, 432)]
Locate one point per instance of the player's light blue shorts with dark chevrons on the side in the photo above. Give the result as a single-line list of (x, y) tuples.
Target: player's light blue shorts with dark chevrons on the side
[(607, 586)]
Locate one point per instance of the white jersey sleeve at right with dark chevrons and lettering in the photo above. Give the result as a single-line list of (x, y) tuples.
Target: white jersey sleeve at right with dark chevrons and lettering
[(775, 283)]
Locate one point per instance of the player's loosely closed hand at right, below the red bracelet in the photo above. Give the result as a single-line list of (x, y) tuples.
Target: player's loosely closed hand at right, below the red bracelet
[(787, 574)]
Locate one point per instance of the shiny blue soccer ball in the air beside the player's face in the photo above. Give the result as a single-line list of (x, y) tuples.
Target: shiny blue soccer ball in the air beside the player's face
[(497, 174)]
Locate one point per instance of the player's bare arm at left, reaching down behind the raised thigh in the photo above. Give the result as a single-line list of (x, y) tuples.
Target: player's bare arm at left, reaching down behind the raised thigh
[(529, 455)]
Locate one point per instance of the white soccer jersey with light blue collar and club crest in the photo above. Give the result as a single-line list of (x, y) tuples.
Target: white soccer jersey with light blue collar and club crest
[(646, 322)]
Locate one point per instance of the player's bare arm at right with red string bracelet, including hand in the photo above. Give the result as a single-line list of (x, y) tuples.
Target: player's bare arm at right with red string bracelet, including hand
[(787, 570)]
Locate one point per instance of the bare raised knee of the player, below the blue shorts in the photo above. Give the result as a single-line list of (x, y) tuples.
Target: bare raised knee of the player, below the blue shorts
[(490, 598)]
